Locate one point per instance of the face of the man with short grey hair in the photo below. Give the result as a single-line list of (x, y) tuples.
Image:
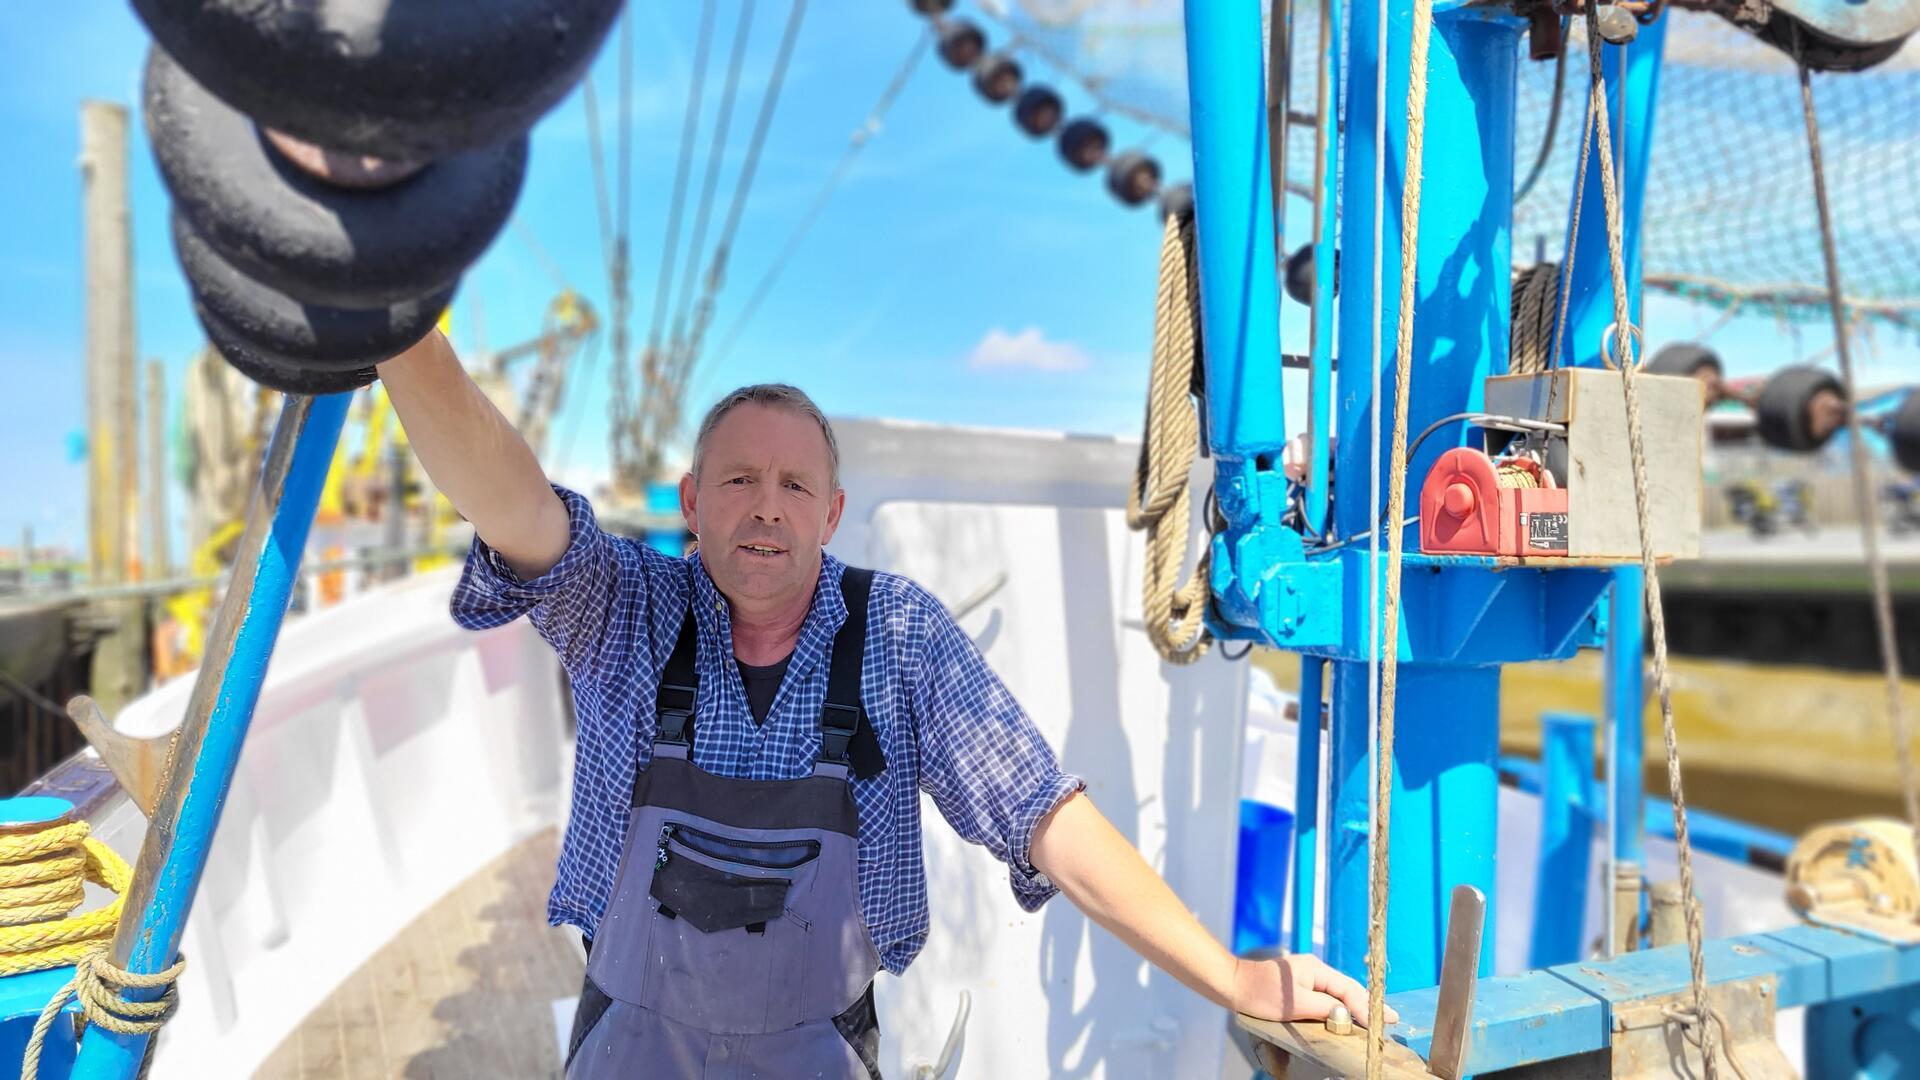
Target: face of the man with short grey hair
[(763, 504)]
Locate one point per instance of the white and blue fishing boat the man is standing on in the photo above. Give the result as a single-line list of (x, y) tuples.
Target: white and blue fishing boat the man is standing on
[(347, 825)]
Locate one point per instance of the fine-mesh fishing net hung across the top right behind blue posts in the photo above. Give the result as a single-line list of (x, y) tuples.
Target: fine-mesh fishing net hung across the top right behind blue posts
[(1731, 216)]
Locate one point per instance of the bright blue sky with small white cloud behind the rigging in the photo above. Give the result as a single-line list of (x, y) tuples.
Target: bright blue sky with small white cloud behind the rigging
[(961, 274)]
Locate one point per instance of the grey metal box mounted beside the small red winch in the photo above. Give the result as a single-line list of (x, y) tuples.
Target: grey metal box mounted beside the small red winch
[(1595, 462)]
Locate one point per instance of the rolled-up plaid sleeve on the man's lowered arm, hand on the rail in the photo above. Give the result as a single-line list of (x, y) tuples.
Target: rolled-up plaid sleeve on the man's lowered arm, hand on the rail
[(990, 772)]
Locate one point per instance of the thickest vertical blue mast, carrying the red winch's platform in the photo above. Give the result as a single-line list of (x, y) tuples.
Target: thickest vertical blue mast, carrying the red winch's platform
[(1445, 779)]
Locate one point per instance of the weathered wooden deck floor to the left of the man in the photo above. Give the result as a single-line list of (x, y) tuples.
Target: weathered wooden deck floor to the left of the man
[(466, 991)]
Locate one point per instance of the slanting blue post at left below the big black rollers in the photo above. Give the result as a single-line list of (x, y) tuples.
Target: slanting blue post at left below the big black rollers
[(220, 712)]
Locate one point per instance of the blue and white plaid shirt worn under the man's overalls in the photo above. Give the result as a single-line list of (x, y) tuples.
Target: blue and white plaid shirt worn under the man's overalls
[(612, 608)]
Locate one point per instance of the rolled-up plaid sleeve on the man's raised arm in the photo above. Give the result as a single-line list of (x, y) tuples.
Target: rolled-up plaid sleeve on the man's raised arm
[(571, 604)]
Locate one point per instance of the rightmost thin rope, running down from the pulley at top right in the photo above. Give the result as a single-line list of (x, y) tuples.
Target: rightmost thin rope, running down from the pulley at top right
[(1863, 487)]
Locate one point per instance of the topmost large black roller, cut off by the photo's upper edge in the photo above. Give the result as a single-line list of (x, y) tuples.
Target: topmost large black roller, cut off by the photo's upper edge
[(389, 78)]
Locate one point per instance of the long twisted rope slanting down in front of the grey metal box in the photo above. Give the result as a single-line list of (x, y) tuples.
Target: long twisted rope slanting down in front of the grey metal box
[(1656, 612)]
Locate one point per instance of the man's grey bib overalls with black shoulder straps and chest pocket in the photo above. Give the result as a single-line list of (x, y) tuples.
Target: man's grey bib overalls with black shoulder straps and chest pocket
[(734, 945)]
